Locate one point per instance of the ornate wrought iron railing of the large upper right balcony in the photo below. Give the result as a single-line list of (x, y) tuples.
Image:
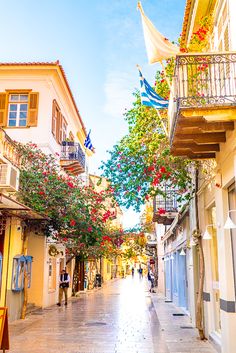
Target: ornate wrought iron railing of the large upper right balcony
[(206, 80)]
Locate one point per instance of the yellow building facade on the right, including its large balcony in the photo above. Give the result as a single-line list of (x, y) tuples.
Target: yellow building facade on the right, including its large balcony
[(202, 127)]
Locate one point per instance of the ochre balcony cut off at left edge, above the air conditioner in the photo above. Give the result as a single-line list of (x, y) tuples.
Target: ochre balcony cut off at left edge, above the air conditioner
[(8, 151)]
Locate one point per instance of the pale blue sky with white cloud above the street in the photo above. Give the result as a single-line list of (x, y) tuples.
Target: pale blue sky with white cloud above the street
[(99, 43)]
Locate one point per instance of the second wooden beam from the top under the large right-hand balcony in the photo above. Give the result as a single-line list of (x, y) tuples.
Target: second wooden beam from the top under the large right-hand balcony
[(206, 138)]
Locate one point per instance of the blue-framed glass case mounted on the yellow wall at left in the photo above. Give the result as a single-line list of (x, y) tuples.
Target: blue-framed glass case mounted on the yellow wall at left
[(20, 263)]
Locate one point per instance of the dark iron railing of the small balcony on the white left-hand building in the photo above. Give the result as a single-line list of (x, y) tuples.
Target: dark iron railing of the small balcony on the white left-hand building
[(72, 152)]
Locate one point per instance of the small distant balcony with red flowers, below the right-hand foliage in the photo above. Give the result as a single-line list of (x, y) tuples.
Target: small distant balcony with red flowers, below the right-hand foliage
[(165, 208)]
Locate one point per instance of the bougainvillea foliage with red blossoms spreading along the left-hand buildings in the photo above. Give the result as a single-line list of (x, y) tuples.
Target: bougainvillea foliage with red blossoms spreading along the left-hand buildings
[(77, 214)]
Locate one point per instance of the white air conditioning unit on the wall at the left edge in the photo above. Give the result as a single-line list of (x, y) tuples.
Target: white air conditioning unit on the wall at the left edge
[(9, 177)]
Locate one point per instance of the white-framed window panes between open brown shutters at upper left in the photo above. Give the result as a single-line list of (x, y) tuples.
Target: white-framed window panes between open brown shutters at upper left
[(17, 110)]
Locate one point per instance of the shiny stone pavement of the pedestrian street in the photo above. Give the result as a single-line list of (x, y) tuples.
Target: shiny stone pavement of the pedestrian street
[(121, 317)]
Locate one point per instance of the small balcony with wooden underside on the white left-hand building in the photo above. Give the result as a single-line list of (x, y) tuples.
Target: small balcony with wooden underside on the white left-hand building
[(72, 158)]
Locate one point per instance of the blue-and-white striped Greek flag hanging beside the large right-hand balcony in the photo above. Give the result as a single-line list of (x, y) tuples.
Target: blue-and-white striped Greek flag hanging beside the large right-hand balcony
[(149, 97)]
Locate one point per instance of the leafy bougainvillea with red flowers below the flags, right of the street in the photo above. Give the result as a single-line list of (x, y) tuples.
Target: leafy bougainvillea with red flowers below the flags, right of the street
[(141, 165)]
